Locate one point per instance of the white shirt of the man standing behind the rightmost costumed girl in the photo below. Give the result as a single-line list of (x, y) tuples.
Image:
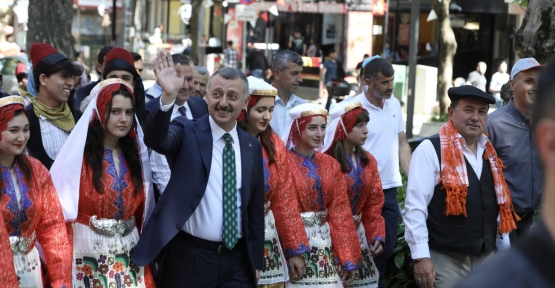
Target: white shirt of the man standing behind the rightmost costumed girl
[(383, 137)]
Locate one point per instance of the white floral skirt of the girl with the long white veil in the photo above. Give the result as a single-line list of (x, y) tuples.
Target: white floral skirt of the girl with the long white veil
[(102, 261)]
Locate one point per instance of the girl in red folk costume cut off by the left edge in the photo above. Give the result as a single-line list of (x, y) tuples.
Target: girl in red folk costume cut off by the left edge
[(30, 209)]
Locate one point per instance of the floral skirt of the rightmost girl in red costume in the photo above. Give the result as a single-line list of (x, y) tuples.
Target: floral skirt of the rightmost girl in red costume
[(367, 274)]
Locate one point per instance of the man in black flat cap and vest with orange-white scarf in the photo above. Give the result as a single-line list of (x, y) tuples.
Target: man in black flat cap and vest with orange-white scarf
[(456, 191)]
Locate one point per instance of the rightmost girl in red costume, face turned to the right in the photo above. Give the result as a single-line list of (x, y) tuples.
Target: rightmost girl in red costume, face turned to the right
[(345, 134)]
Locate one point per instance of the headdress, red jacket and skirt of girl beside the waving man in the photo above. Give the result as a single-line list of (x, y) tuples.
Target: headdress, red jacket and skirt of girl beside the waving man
[(280, 205)]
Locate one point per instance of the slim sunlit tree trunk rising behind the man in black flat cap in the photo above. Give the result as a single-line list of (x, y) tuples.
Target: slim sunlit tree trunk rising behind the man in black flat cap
[(447, 51)]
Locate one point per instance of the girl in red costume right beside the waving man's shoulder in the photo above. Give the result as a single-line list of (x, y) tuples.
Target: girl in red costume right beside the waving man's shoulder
[(280, 200)]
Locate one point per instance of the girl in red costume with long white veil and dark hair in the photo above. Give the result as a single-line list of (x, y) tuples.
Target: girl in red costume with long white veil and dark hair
[(106, 161)]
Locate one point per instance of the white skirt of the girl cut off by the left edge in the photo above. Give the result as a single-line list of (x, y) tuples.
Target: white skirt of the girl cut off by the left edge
[(28, 269)]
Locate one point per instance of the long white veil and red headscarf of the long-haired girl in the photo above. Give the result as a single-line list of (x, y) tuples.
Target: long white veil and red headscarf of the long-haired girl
[(66, 170)]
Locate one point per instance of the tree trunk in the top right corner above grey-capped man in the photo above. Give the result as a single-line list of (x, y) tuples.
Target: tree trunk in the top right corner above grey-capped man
[(536, 36)]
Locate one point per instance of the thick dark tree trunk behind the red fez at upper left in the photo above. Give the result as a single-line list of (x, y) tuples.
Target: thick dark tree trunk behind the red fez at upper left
[(50, 22)]
